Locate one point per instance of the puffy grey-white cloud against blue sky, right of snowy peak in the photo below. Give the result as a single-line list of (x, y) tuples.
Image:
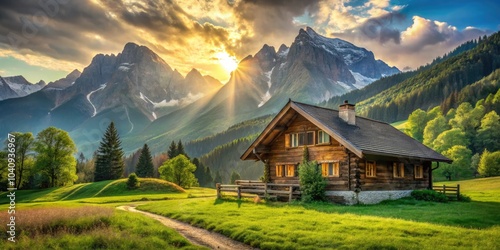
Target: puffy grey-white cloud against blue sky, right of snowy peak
[(417, 45)]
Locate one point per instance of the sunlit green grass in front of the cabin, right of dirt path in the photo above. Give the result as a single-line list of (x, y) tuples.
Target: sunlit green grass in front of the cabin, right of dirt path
[(402, 224)]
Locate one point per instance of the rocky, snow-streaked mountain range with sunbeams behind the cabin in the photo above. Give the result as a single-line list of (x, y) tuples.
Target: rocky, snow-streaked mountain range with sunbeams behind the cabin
[(151, 102)]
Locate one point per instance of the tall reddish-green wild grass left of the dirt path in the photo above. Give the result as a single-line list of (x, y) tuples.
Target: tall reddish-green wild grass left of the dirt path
[(90, 227)]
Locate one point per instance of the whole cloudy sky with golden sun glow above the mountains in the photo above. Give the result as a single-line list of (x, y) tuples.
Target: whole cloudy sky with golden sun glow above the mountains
[(47, 39)]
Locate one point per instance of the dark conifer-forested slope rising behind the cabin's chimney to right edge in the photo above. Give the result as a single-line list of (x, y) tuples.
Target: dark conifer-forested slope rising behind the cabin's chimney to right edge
[(433, 85)]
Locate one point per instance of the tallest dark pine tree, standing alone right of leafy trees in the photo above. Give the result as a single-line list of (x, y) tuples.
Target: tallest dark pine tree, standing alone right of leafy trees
[(109, 164)]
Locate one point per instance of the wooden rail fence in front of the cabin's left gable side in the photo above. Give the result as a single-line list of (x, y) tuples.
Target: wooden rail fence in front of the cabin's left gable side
[(260, 188)]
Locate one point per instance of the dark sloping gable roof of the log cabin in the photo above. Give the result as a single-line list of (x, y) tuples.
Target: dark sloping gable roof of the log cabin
[(367, 137)]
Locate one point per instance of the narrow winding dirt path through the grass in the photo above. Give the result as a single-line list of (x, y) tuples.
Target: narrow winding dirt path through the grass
[(195, 235)]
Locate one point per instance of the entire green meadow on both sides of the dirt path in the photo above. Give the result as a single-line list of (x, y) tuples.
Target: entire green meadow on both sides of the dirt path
[(84, 217)]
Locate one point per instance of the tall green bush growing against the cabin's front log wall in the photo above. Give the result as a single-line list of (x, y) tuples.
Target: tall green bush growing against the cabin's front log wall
[(312, 183)]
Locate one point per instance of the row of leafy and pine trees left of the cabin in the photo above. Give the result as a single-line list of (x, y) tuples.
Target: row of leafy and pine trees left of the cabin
[(48, 160)]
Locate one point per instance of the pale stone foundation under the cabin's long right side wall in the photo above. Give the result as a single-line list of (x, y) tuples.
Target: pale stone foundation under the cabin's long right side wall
[(365, 197)]
